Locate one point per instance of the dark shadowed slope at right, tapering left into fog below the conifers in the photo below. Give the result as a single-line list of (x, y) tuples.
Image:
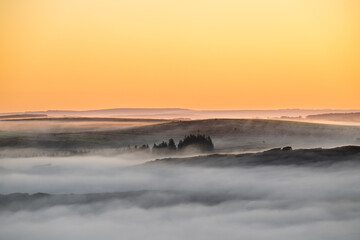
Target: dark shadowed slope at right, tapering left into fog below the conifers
[(274, 157)]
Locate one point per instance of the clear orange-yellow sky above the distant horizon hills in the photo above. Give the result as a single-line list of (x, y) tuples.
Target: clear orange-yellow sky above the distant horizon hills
[(201, 54)]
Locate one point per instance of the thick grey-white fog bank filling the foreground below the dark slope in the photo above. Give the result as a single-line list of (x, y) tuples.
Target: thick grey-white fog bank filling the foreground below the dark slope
[(252, 203)]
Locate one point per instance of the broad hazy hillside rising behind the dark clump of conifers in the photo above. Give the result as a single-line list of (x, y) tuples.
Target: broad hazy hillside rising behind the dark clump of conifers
[(227, 135)]
